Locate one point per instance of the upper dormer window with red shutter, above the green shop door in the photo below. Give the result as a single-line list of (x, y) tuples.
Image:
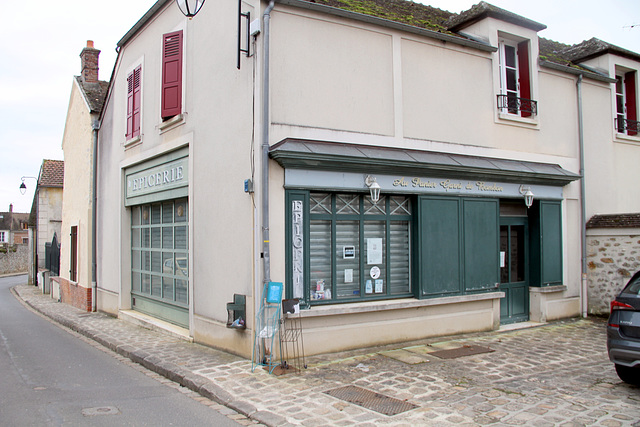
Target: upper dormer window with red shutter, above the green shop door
[(515, 80)]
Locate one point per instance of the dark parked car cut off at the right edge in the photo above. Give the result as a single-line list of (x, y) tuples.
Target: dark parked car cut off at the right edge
[(623, 332)]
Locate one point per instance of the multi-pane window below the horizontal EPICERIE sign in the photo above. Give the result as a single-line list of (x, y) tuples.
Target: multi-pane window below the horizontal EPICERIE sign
[(159, 251)]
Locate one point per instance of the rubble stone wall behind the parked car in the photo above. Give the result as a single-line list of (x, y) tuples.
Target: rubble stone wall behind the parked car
[(612, 258)]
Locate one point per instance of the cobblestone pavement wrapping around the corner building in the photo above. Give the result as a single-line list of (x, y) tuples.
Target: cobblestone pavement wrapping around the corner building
[(556, 374)]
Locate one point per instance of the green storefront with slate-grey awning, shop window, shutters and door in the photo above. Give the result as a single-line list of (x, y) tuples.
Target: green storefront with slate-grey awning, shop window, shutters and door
[(445, 226)]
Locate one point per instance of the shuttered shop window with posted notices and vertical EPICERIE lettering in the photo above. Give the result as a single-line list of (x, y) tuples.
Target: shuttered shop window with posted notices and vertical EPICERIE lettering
[(344, 248)]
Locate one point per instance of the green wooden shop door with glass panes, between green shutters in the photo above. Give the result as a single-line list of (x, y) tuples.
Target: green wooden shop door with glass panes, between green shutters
[(514, 272)]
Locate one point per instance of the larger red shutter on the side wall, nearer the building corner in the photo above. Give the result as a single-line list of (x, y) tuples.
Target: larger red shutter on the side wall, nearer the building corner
[(171, 75)]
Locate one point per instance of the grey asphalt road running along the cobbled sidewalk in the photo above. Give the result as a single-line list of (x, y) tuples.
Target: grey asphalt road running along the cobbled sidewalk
[(50, 377)]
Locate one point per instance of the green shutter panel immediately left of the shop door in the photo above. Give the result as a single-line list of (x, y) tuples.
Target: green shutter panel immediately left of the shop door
[(481, 244)]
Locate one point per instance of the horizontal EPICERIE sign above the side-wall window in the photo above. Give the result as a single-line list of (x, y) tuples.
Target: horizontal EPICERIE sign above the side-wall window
[(158, 178)]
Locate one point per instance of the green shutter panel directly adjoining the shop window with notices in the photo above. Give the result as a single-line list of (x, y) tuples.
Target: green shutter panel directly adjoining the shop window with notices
[(439, 246)]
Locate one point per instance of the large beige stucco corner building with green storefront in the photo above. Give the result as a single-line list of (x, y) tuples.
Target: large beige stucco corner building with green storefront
[(222, 168)]
